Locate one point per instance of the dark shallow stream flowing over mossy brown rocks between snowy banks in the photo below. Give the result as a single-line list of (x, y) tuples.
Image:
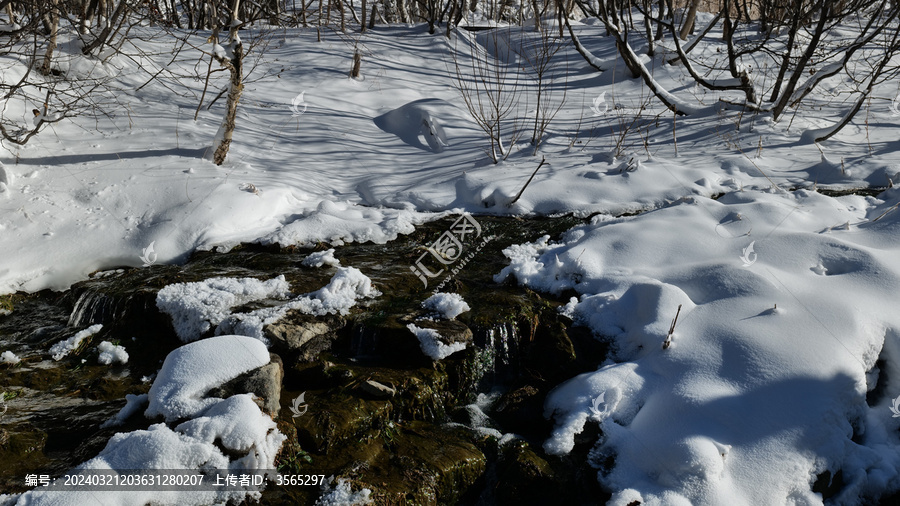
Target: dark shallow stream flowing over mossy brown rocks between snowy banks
[(464, 430)]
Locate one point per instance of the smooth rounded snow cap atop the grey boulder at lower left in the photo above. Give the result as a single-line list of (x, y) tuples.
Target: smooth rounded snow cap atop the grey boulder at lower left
[(189, 372)]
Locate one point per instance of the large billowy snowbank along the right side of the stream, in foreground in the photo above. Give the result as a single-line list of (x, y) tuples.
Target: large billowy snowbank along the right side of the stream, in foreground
[(748, 395)]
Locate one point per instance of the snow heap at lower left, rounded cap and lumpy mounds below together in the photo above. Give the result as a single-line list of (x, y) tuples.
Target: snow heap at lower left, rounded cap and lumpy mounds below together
[(217, 434)]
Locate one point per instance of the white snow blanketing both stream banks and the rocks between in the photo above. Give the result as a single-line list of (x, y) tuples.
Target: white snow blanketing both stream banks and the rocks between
[(787, 297)]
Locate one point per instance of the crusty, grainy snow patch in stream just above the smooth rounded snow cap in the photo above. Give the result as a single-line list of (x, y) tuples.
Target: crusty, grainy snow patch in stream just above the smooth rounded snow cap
[(196, 307)]
